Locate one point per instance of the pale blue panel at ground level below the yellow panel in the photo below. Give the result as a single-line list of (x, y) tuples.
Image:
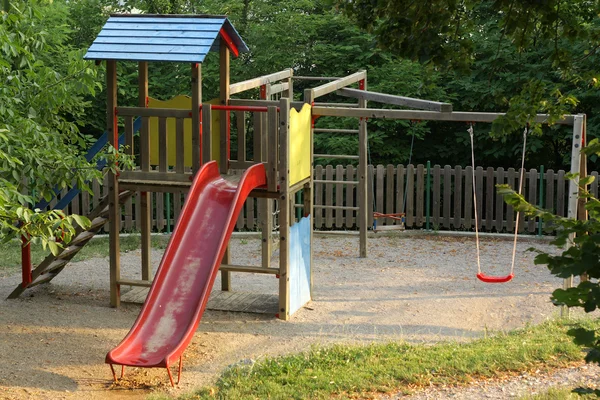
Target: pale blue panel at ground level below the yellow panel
[(299, 264)]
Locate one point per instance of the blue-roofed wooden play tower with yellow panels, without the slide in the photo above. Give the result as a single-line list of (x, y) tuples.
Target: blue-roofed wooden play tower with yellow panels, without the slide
[(181, 152)]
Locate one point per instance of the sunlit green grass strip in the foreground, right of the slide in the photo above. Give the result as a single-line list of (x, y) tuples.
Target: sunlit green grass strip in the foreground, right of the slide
[(360, 371)]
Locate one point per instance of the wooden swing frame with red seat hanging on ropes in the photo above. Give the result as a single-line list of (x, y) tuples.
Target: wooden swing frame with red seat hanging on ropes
[(425, 110)]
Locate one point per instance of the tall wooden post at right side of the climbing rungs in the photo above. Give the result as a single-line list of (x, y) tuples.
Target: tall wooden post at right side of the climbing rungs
[(362, 176)]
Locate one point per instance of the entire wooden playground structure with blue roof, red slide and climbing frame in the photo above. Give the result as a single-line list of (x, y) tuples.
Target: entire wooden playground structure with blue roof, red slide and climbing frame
[(274, 170)]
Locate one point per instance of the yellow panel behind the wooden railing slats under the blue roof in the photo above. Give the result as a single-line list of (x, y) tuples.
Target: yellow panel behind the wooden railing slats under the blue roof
[(185, 103)]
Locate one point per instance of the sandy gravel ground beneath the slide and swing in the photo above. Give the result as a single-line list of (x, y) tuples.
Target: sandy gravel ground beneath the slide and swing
[(414, 288)]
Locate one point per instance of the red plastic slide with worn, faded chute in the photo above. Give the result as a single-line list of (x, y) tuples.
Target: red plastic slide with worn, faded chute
[(186, 274)]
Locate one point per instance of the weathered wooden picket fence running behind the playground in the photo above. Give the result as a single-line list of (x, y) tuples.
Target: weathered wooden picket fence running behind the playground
[(442, 195)]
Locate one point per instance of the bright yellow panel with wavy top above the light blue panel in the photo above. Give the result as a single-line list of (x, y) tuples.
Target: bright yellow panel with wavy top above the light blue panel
[(300, 144)]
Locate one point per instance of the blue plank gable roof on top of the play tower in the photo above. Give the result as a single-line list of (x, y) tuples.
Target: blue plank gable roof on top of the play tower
[(175, 38)]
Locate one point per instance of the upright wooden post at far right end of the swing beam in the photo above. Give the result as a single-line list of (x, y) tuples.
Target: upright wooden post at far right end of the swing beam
[(578, 124)]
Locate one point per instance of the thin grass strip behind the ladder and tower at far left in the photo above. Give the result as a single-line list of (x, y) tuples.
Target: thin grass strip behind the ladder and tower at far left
[(97, 247)]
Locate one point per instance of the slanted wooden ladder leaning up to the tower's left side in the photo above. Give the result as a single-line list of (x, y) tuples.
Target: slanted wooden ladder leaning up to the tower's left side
[(52, 265)]
